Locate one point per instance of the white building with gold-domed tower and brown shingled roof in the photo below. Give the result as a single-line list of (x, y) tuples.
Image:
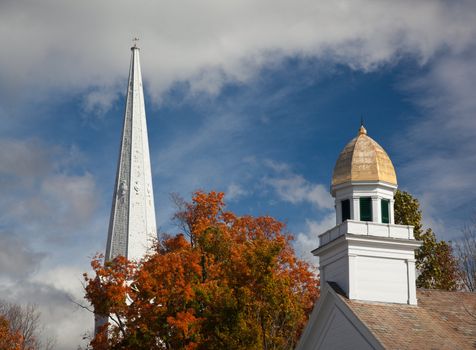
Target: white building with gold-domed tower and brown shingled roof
[(369, 298)]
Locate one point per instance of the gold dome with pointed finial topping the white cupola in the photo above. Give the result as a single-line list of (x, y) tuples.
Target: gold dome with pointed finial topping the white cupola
[(363, 159)]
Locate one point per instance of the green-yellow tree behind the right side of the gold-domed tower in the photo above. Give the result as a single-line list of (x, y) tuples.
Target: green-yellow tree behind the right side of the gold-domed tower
[(435, 262)]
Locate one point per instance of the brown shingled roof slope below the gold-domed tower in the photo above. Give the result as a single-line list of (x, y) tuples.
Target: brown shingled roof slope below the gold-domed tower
[(442, 320)]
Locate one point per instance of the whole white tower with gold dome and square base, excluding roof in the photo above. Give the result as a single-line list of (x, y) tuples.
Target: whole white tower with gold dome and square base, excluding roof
[(366, 254)]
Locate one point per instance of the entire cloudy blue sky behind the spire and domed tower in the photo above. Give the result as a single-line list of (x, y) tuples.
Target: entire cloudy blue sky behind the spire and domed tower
[(253, 98)]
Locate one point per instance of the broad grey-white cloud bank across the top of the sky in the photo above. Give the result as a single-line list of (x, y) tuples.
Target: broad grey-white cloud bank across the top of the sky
[(72, 45)]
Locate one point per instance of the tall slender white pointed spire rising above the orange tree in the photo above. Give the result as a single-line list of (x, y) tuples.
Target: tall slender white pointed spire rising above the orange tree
[(132, 226)]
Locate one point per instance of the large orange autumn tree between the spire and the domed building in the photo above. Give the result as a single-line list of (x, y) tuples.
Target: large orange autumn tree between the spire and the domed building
[(233, 282)]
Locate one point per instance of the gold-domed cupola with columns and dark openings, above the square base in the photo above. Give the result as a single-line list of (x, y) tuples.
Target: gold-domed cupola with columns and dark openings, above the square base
[(364, 181)]
